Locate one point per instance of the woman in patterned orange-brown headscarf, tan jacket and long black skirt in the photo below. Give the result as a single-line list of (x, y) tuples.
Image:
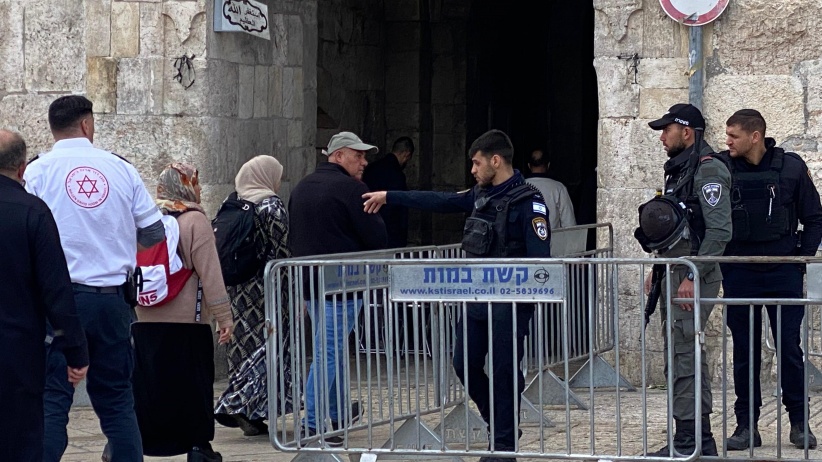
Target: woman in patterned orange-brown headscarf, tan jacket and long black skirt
[(173, 342)]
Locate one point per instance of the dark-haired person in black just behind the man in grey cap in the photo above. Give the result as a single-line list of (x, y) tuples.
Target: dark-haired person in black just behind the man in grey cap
[(387, 174)]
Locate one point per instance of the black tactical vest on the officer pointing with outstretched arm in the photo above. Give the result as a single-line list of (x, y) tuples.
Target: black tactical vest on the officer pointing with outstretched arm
[(486, 230)]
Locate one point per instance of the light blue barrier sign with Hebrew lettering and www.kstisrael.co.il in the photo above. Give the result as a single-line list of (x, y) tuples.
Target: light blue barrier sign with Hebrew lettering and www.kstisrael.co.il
[(498, 282)]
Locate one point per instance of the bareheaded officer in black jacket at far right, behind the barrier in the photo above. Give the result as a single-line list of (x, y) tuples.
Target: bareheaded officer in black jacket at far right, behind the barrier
[(772, 193)]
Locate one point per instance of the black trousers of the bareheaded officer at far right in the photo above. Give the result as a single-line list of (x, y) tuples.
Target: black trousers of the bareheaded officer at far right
[(785, 281)]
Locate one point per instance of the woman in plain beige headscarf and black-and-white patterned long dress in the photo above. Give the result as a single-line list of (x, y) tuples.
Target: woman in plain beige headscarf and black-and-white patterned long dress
[(244, 403)]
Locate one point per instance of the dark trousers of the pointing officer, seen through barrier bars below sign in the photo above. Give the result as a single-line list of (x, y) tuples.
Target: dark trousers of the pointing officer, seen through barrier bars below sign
[(473, 347)]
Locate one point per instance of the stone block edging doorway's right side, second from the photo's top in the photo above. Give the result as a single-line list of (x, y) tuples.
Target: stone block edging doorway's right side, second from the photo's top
[(618, 95)]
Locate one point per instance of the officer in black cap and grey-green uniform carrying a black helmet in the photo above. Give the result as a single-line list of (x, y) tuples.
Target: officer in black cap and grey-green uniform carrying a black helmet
[(696, 186)]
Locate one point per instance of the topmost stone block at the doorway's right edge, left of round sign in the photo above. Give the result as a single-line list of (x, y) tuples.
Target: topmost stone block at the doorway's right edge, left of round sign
[(617, 27)]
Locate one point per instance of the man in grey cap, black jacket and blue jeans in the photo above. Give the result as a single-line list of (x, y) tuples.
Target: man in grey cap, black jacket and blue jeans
[(327, 217)]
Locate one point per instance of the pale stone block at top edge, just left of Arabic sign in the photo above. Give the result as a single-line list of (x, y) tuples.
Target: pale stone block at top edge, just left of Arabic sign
[(185, 28)]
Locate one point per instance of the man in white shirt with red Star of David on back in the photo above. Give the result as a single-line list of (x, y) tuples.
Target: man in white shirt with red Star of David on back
[(103, 212)]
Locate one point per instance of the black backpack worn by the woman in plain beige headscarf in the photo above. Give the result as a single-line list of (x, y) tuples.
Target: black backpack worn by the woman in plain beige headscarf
[(234, 227)]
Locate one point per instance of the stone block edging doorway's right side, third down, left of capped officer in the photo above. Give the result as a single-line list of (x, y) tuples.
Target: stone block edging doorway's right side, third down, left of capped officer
[(630, 155)]
